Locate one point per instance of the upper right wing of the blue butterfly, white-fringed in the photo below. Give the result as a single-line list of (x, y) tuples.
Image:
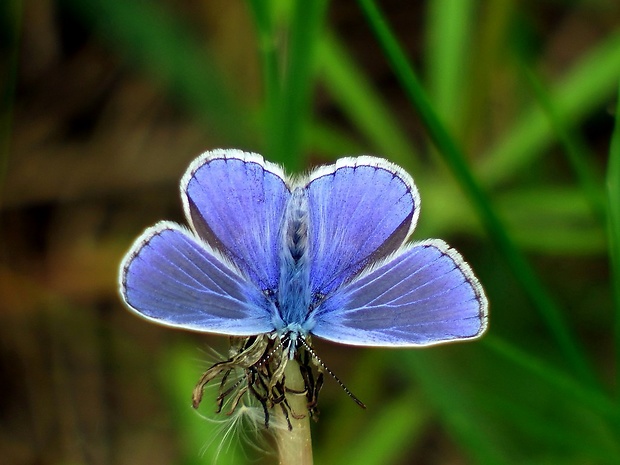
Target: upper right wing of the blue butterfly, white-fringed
[(361, 210)]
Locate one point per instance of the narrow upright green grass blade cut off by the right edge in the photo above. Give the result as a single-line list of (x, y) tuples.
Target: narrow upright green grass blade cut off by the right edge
[(613, 209)]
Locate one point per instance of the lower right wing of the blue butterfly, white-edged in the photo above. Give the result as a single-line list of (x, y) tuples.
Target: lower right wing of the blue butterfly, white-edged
[(423, 296)]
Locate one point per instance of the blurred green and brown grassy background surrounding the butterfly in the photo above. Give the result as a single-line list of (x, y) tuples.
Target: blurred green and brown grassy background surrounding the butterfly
[(502, 111)]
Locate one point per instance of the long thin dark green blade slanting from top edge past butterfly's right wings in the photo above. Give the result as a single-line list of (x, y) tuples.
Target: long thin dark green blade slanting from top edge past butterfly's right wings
[(455, 159)]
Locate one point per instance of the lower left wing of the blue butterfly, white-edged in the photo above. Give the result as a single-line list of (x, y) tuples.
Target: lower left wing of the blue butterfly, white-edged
[(172, 279)]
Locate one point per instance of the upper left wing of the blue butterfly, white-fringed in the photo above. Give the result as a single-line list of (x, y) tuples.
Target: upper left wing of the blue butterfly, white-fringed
[(235, 201)]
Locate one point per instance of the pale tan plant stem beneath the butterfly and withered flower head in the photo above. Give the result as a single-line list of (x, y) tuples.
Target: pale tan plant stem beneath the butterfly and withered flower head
[(294, 446)]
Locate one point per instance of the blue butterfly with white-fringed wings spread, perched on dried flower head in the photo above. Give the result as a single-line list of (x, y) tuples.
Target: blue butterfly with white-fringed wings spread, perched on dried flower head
[(321, 255)]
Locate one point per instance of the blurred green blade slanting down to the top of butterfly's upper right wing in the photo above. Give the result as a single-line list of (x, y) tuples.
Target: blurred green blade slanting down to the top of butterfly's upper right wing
[(361, 103)]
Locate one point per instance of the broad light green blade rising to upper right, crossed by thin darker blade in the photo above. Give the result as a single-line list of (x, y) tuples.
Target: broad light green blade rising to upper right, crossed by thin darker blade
[(591, 82)]
